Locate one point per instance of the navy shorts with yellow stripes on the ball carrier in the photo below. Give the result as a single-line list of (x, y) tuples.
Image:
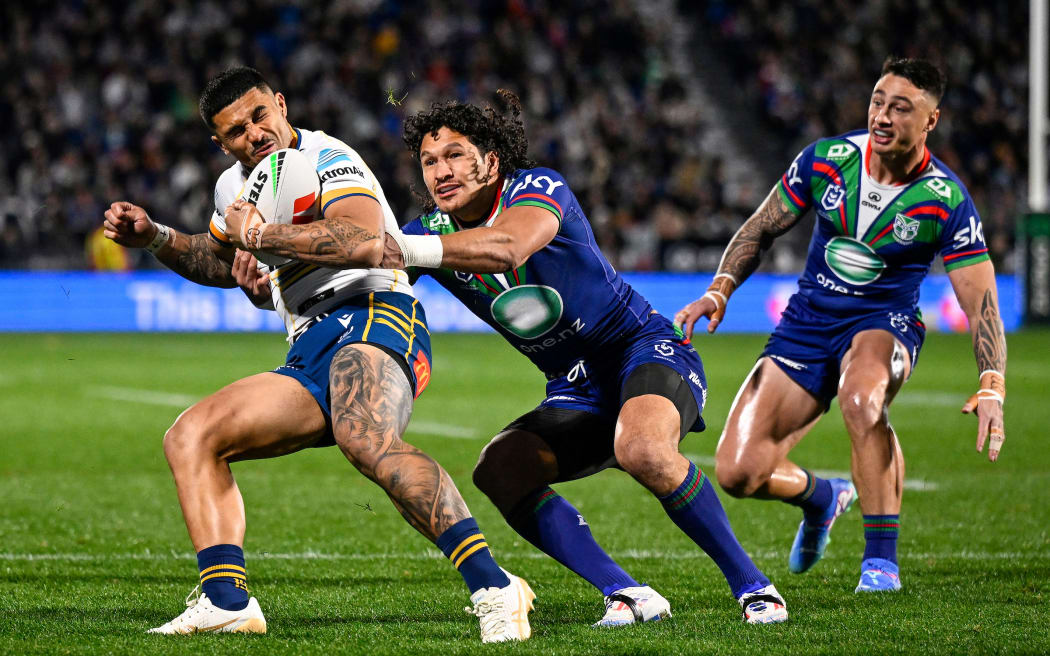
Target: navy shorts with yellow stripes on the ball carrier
[(390, 321)]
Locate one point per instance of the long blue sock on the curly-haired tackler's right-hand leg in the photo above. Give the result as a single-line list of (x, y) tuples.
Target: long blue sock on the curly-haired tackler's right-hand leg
[(696, 509)]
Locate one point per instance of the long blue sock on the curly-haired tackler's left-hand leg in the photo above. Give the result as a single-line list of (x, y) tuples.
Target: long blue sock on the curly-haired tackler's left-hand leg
[(558, 530)]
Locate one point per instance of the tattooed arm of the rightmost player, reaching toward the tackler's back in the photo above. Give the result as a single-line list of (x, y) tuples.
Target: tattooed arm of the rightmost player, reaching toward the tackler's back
[(741, 260)]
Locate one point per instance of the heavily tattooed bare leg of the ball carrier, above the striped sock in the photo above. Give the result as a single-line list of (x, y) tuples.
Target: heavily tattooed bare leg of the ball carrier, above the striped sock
[(371, 406)]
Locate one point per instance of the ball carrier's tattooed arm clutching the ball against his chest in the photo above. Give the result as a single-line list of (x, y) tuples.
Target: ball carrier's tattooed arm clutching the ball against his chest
[(350, 236)]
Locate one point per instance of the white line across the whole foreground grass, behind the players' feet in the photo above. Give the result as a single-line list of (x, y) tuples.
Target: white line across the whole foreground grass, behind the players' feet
[(640, 555)]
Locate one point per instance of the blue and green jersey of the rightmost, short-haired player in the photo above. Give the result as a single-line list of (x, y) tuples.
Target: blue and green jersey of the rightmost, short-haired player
[(874, 244)]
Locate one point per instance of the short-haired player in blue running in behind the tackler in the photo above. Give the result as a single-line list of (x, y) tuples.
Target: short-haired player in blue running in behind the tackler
[(886, 207)]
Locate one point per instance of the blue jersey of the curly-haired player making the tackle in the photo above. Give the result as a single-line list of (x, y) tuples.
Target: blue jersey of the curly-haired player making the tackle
[(566, 303)]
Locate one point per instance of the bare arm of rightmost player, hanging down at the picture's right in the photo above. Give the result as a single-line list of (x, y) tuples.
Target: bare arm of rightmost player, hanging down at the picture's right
[(975, 288)]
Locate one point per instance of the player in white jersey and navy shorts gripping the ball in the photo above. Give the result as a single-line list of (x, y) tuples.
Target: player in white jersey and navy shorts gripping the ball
[(360, 354)]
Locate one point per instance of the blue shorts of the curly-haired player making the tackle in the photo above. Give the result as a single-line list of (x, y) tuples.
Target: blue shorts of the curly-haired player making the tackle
[(595, 386)]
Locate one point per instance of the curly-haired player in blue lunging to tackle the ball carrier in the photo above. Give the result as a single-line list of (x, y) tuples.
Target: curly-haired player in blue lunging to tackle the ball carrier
[(512, 243)]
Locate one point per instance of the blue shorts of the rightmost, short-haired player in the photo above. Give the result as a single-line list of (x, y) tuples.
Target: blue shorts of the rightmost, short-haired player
[(809, 346)]
